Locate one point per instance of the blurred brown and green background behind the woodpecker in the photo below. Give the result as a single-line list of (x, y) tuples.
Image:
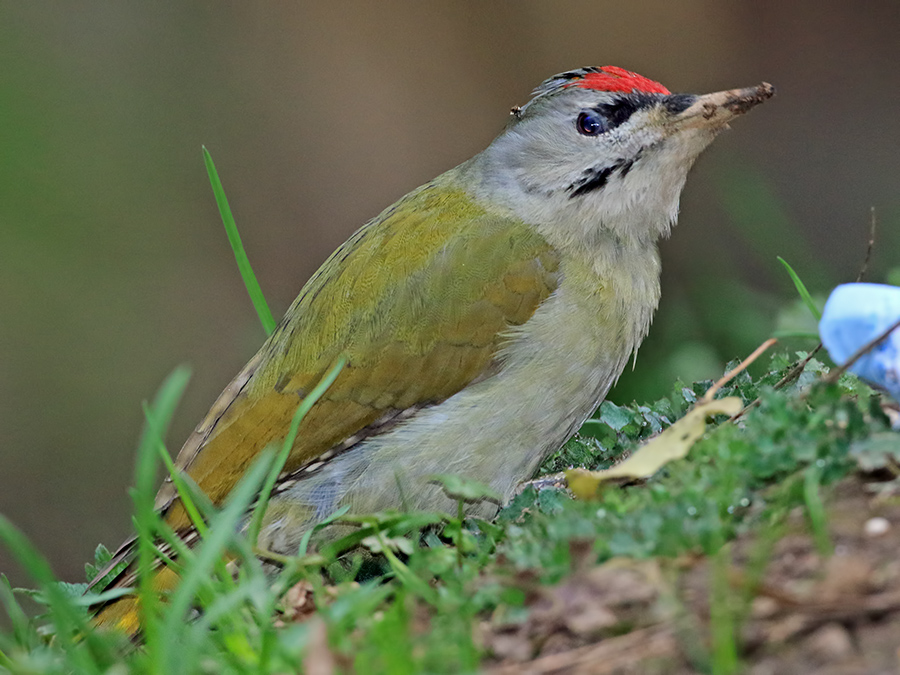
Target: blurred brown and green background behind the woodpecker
[(114, 266)]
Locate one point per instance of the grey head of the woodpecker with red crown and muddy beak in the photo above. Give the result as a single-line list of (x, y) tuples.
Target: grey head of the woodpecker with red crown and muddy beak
[(604, 151)]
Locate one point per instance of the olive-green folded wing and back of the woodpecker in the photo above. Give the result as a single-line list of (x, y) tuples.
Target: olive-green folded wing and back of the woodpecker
[(418, 300)]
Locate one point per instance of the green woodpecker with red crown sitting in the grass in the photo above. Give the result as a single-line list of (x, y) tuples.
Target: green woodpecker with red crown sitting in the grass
[(483, 316)]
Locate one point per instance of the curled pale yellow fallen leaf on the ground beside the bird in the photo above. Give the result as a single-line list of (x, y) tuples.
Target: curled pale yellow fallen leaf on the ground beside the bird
[(673, 443)]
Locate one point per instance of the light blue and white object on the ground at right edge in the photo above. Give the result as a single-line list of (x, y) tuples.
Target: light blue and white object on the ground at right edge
[(854, 315)]
